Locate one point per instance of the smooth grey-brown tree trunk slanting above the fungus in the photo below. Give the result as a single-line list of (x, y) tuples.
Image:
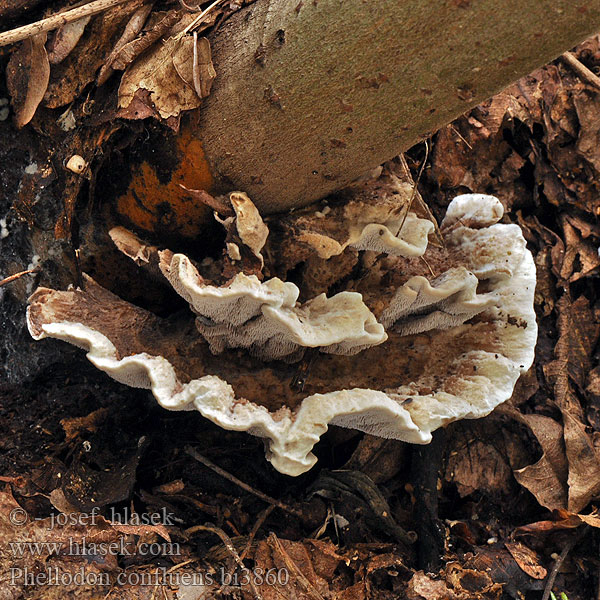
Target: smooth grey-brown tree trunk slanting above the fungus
[(311, 94)]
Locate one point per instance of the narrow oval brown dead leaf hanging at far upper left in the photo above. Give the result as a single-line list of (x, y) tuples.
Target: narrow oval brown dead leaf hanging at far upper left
[(27, 76)]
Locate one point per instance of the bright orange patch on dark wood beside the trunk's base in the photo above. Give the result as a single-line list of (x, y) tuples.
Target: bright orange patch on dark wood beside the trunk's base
[(166, 207)]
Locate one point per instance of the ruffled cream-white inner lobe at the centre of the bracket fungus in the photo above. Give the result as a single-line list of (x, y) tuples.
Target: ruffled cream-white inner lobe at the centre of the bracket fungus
[(266, 317)]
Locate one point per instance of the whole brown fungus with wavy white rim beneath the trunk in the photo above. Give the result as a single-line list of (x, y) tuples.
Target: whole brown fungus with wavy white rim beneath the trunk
[(411, 335)]
